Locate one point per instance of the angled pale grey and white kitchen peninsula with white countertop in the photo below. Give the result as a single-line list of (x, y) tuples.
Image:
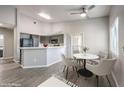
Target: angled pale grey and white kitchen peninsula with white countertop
[(32, 57)]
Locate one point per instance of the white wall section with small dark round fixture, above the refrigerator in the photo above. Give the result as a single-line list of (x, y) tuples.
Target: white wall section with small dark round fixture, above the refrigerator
[(26, 25)]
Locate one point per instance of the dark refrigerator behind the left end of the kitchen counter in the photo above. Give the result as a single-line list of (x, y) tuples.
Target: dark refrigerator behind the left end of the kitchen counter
[(26, 42)]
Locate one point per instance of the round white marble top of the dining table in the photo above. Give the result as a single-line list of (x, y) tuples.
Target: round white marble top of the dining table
[(85, 56)]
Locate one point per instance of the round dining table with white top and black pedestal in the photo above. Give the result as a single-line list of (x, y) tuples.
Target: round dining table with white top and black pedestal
[(85, 57)]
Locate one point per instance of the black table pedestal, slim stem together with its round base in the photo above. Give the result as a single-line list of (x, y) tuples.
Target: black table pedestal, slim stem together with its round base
[(84, 71)]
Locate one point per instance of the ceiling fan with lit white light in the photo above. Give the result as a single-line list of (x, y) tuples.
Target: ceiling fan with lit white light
[(83, 11)]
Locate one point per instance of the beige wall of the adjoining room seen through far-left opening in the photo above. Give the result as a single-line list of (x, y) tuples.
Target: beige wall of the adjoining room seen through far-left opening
[(8, 42)]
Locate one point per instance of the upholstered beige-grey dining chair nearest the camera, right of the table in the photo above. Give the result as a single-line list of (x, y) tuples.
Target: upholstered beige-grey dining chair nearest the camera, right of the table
[(103, 68)]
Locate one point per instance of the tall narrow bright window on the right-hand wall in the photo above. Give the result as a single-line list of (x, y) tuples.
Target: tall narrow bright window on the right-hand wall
[(114, 37)]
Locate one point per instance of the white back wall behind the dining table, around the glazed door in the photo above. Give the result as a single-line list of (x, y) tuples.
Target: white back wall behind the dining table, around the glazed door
[(95, 32)]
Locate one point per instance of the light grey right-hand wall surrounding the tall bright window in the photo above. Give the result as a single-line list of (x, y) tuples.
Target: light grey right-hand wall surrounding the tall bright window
[(118, 11)]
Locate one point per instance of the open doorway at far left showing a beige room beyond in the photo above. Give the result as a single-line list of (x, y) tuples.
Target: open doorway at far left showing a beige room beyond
[(6, 45)]
